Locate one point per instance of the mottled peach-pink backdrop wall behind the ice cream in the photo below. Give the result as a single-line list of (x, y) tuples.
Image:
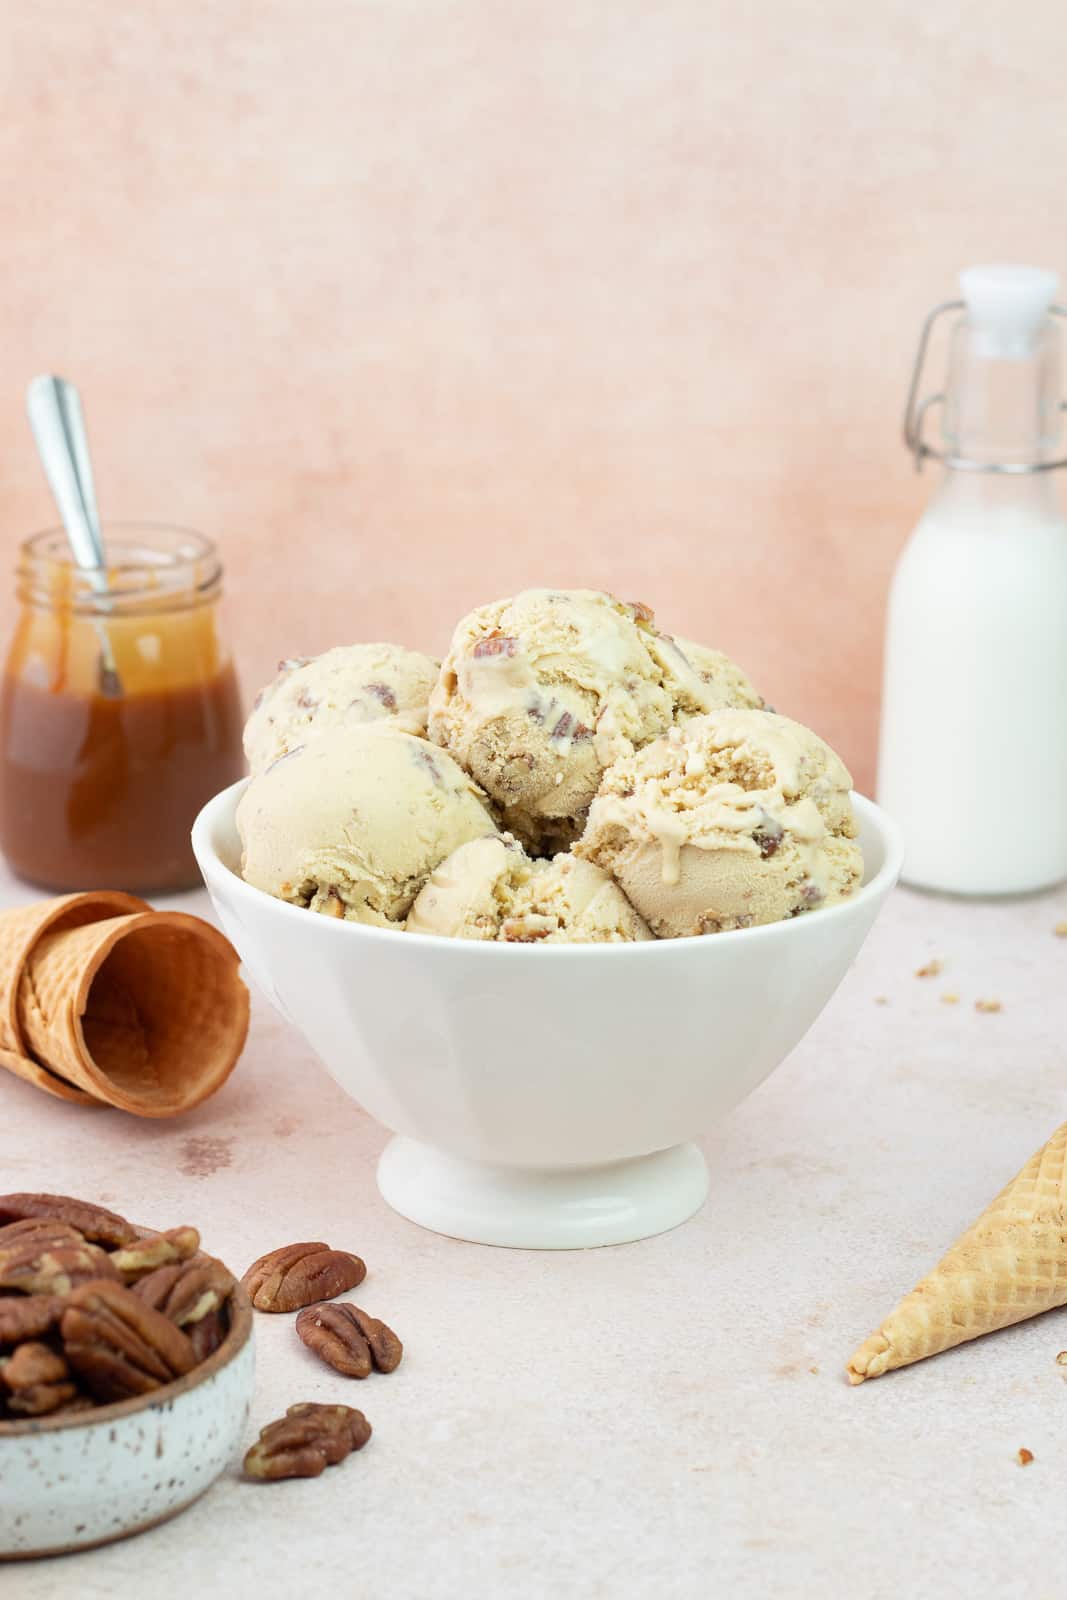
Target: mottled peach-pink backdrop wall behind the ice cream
[(418, 302)]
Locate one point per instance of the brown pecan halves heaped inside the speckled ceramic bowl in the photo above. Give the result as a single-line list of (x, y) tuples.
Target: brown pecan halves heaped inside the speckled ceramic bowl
[(94, 1311)]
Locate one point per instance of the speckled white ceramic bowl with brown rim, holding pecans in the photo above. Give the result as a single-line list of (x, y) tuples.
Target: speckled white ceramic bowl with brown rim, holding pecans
[(106, 1474)]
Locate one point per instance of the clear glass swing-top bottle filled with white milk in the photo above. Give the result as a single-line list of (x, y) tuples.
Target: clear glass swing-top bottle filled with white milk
[(973, 759)]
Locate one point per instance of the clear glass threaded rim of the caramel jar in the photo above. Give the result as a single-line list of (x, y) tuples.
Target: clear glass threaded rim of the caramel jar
[(156, 567)]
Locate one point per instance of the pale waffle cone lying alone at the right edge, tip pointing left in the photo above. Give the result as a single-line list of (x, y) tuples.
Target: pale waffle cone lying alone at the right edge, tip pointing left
[(1009, 1266)]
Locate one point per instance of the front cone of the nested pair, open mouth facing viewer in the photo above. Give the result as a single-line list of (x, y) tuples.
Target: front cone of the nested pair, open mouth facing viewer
[(146, 1012)]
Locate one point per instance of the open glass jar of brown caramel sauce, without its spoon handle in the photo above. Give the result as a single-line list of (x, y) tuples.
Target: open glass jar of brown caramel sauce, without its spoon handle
[(119, 713)]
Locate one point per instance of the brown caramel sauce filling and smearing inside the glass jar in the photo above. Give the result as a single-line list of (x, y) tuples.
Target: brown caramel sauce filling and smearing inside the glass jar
[(100, 793)]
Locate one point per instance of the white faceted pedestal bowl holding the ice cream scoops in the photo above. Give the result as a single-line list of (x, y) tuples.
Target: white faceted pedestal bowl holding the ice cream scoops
[(543, 1097)]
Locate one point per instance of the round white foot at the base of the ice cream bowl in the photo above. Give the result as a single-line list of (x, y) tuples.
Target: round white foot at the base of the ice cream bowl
[(543, 1209)]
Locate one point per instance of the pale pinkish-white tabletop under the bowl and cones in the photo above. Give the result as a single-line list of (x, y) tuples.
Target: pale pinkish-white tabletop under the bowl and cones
[(658, 1422)]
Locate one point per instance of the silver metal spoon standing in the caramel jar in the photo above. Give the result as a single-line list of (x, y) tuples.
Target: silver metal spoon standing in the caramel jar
[(55, 412)]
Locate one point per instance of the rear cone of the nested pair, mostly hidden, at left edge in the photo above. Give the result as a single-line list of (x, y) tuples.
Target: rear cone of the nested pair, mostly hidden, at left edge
[(20, 930)]
